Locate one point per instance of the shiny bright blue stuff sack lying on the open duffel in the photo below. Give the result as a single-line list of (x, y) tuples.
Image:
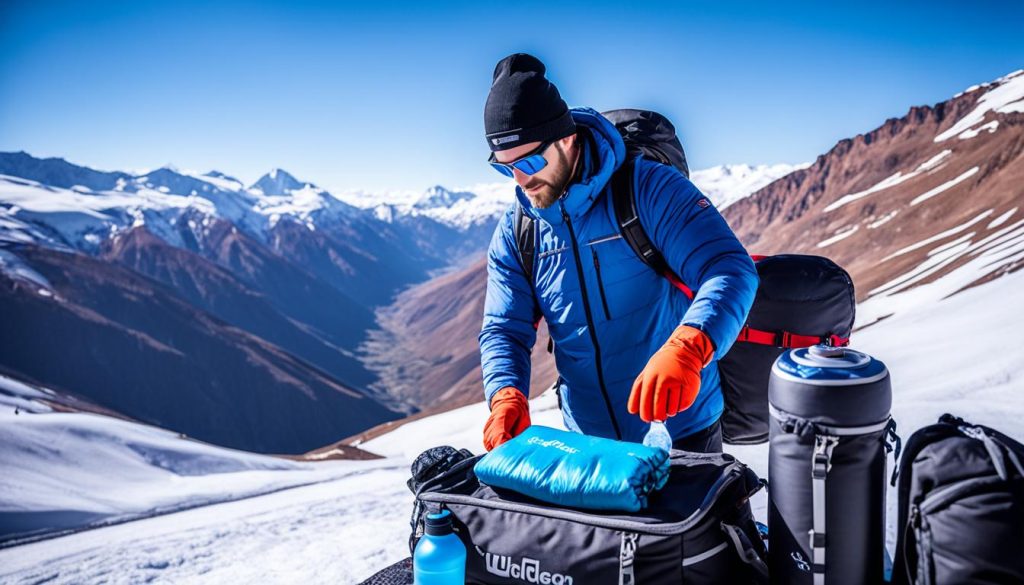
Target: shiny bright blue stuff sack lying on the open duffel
[(576, 471)]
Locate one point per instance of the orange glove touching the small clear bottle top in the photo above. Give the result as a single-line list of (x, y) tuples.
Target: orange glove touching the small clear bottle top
[(671, 381)]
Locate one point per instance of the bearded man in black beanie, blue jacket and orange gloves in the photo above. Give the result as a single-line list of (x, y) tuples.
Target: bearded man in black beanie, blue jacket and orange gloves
[(630, 347)]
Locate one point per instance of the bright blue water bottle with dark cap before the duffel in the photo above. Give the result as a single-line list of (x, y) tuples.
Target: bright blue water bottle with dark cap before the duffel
[(440, 558)]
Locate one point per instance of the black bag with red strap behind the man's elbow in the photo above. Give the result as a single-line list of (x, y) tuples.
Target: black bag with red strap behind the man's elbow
[(801, 302)]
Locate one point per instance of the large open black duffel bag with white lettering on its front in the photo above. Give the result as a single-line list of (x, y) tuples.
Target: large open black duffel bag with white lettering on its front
[(699, 529)]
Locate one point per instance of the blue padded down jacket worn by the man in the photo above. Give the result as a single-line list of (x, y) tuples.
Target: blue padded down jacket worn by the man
[(607, 311)]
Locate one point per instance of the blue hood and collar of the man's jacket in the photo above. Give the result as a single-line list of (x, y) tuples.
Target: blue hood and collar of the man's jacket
[(602, 155)]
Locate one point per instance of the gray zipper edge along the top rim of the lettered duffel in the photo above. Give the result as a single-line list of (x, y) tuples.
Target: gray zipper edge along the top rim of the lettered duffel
[(669, 529)]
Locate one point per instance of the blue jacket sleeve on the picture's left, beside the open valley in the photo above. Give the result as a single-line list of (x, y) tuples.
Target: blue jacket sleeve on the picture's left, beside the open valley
[(510, 314)]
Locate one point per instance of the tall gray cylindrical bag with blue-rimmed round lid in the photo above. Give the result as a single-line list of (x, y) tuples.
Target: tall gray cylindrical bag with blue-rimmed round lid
[(829, 428)]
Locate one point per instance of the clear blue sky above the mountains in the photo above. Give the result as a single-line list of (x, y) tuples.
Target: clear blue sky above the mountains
[(392, 96)]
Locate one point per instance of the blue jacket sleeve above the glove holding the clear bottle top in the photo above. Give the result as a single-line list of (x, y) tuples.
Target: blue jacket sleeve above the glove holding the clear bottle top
[(702, 248)]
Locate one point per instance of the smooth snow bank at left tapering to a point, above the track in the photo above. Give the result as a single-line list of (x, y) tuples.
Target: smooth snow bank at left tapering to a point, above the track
[(68, 471)]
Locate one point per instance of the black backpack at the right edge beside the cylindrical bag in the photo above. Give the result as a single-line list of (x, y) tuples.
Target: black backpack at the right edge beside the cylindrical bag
[(961, 507)]
